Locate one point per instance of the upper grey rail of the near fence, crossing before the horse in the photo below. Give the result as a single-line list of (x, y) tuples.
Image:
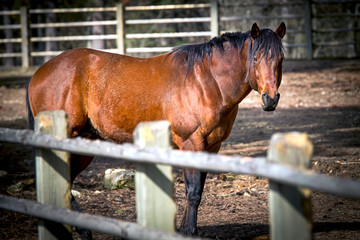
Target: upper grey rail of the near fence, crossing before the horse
[(204, 161)]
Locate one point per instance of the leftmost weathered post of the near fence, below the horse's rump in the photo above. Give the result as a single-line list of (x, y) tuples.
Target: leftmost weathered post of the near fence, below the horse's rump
[(53, 173)]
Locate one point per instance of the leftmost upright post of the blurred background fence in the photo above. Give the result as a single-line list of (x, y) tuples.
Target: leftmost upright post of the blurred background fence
[(25, 39)]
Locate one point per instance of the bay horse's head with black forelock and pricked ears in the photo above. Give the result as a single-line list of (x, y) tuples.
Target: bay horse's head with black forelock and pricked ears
[(265, 57)]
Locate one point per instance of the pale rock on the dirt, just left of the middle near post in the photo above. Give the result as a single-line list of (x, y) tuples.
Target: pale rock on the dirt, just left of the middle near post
[(119, 178)]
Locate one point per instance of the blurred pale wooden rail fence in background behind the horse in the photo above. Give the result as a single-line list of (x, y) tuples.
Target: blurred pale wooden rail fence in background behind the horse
[(305, 36)]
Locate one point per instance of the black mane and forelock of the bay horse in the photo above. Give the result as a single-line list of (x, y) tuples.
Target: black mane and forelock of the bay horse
[(193, 53)]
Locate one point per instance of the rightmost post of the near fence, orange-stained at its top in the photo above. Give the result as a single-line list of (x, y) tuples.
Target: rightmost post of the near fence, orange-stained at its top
[(290, 206)]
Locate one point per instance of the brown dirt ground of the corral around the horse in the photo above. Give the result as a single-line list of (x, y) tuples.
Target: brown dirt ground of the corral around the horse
[(321, 98)]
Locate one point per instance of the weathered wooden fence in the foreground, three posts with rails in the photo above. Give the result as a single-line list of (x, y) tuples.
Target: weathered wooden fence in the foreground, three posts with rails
[(286, 167)]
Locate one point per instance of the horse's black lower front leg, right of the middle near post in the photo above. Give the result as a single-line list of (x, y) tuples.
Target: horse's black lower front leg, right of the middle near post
[(194, 184)]
